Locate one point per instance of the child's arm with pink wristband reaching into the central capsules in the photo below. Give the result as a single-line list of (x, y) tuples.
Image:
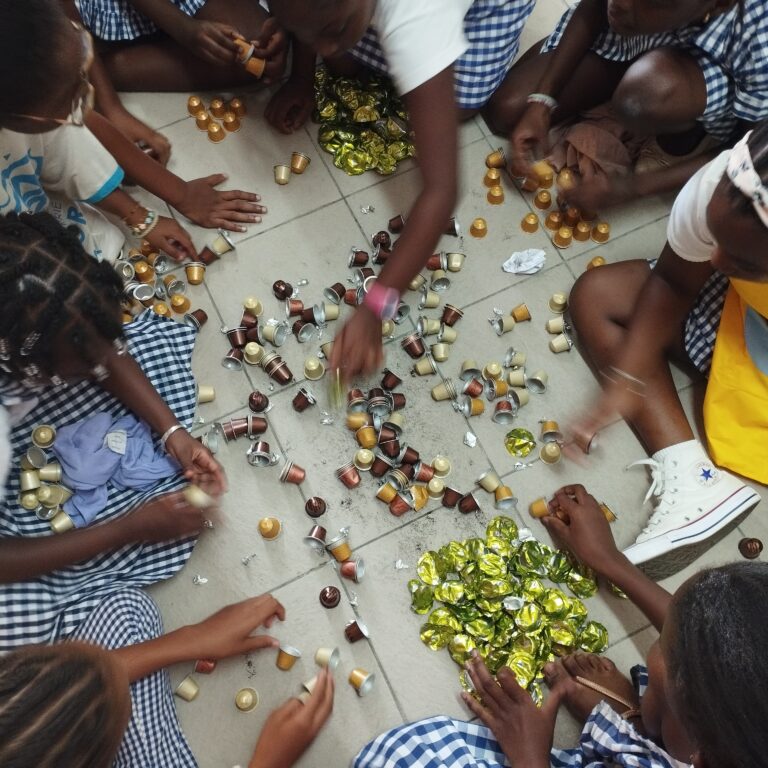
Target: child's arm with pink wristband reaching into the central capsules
[(358, 348)]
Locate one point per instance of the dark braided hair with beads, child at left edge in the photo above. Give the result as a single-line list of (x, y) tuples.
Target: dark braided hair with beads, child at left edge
[(49, 286)]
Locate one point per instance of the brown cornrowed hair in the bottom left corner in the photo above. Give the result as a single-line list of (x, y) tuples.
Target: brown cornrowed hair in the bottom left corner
[(59, 706)]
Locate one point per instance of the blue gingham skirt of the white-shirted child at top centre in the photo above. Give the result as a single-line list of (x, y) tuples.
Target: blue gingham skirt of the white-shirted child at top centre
[(492, 29)]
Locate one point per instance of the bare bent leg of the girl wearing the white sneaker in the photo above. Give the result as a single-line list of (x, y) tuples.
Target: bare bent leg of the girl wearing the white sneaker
[(601, 304)]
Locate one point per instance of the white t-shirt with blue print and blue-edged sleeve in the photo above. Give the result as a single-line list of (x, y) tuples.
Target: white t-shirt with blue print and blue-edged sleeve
[(64, 172)]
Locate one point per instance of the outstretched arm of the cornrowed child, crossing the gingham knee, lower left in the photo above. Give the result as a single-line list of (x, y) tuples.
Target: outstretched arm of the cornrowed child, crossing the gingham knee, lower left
[(226, 633)]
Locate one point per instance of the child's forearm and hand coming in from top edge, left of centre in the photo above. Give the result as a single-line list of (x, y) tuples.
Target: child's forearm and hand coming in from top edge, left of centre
[(212, 41)]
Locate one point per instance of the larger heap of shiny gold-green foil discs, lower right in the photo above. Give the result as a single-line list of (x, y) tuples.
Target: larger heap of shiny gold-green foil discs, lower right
[(496, 599)]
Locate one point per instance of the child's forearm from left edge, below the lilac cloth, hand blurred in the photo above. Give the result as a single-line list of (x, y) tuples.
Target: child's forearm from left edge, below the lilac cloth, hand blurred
[(162, 519)]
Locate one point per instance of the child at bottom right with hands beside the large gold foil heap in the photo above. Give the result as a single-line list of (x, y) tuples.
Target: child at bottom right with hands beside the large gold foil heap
[(698, 702)]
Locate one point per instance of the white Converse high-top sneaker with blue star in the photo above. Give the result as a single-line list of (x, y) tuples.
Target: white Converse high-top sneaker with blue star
[(694, 500)]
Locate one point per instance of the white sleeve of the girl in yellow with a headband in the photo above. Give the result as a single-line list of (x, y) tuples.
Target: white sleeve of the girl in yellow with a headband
[(687, 230)]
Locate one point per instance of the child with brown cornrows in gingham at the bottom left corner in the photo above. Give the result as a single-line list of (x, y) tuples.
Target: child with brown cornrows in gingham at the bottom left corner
[(72, 699)]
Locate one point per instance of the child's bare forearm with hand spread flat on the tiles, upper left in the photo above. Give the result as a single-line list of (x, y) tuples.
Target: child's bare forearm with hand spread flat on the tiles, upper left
[(197, 200)]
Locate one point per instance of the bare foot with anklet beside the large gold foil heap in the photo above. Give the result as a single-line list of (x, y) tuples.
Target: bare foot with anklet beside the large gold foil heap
[(578, 698)]
